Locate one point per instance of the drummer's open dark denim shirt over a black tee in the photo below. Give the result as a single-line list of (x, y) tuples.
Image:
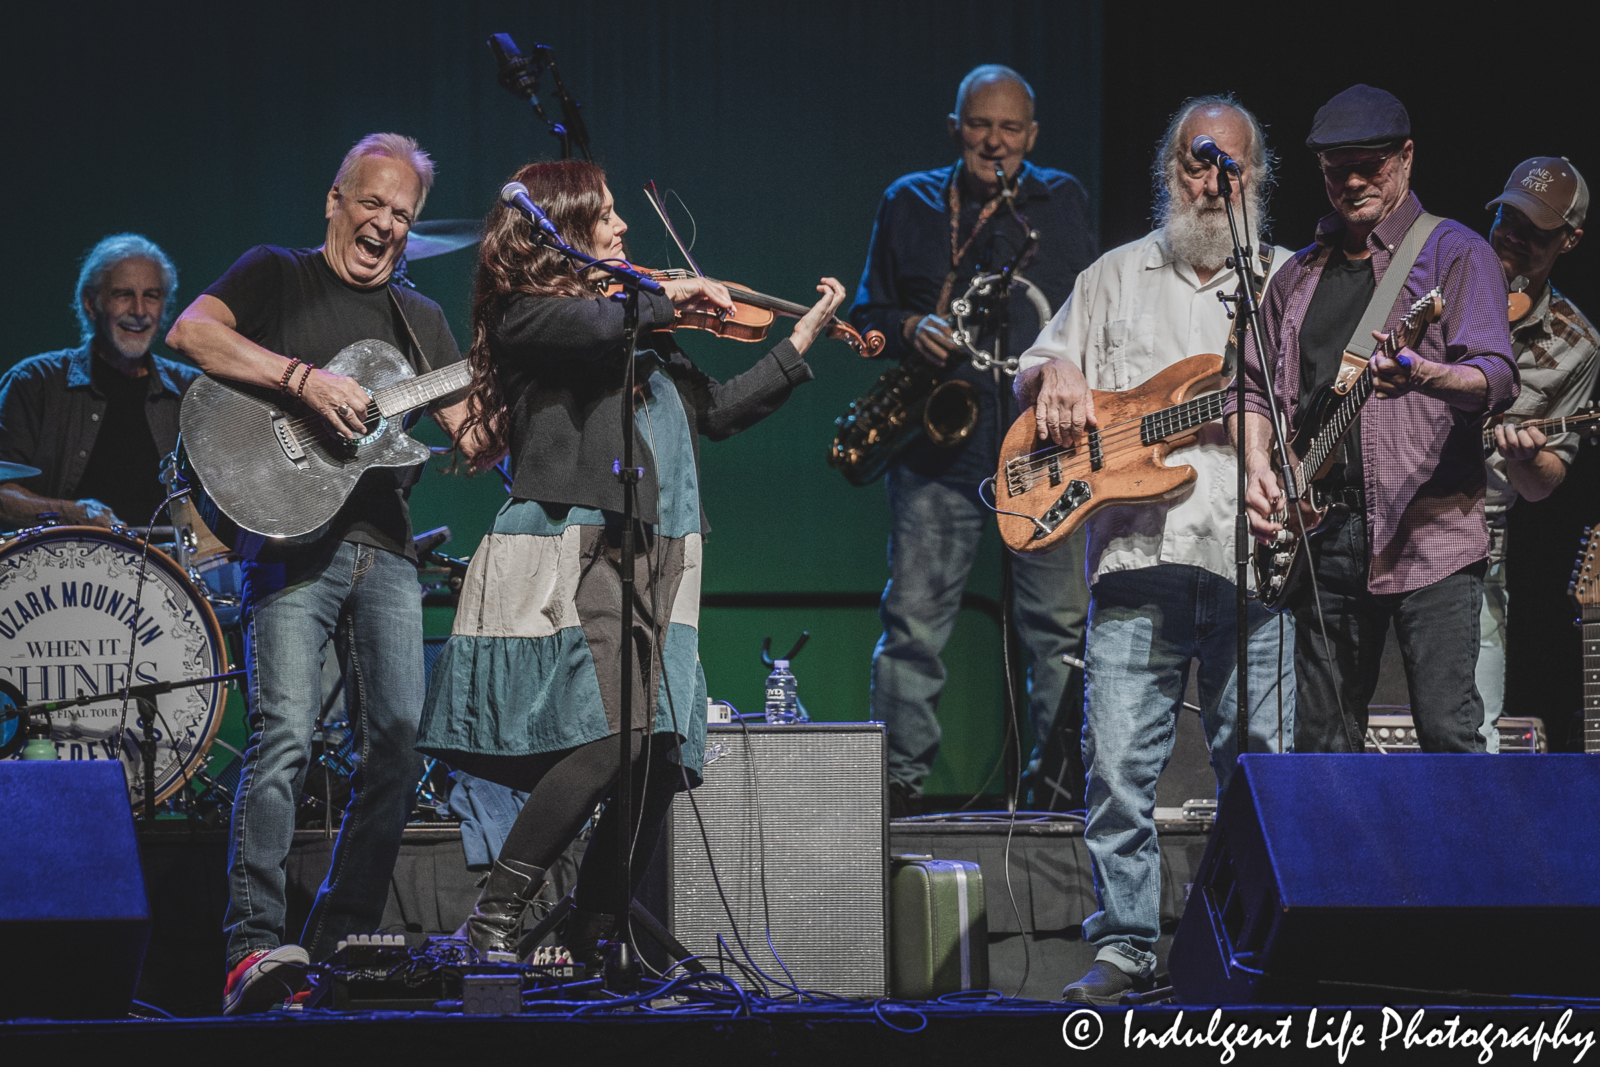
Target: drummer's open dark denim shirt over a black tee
[(50, 415)]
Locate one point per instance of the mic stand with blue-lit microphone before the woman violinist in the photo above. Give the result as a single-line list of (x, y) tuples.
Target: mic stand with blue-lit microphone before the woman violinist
[(630, 476)]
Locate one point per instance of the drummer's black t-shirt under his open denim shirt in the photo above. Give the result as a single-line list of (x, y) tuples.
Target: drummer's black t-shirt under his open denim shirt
[(124, 471)]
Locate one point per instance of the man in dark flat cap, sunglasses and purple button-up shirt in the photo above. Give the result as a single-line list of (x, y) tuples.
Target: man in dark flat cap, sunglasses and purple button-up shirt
[(1410, 546)]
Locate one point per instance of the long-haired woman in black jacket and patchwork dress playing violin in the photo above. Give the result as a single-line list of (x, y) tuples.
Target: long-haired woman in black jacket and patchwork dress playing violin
[(527, 689)]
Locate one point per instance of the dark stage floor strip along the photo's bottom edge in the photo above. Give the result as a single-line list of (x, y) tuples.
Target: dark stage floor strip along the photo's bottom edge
[(882, 1034)]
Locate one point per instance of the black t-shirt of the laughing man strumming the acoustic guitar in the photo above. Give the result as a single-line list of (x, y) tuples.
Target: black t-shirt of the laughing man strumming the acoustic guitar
[(292, 303)]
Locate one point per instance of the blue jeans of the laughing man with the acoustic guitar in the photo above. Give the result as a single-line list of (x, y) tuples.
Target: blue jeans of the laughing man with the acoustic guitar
[(369, 604)]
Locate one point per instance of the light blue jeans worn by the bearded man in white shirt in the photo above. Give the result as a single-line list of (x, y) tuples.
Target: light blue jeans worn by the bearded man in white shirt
[(1145, 628)]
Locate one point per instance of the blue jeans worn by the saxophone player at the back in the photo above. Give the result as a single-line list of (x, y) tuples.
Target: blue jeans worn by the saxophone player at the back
[(935, 533)]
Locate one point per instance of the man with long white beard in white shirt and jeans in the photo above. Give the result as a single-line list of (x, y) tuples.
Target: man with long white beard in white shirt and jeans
[(1162, 575)]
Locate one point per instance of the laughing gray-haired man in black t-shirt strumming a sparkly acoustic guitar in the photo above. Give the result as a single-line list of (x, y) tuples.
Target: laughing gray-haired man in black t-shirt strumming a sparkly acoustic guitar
[(273, 321)]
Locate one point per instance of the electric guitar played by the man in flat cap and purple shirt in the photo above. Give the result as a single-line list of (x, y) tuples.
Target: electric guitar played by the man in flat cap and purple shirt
[(1322, 426)]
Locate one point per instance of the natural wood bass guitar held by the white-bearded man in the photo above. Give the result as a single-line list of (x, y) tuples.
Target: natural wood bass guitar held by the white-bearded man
[(1047, 492)]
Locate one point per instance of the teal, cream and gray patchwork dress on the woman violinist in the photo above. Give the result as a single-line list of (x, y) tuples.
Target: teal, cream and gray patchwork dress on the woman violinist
[(534, 661)]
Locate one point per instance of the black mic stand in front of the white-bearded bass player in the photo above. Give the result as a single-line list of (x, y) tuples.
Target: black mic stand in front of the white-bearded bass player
[(1246, 305)]
